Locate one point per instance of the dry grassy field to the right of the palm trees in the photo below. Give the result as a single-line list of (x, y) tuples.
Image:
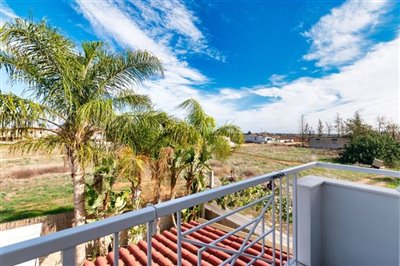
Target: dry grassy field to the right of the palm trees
[(255, 159)]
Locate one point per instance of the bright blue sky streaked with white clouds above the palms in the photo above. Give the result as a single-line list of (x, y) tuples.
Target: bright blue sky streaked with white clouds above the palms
[(259, 64)]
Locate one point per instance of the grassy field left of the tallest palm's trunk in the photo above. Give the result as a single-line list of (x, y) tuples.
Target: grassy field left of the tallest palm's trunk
[(33, 184)]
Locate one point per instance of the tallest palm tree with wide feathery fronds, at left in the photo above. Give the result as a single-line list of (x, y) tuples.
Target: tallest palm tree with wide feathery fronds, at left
[(74, 93)]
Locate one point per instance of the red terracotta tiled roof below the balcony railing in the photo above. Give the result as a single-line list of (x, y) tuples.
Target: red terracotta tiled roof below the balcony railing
[(164, 250)]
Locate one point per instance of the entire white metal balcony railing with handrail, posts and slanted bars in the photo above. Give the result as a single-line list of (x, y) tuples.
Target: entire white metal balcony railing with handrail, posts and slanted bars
[(66, 240)]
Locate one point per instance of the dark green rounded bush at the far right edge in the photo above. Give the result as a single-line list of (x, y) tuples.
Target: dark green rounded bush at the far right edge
[(372, 145)]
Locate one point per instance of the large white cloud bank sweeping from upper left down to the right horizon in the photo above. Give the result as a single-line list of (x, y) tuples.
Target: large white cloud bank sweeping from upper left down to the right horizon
[(369, 84)]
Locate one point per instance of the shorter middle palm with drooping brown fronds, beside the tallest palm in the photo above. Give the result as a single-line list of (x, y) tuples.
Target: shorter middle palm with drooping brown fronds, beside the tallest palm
[(150, 142)]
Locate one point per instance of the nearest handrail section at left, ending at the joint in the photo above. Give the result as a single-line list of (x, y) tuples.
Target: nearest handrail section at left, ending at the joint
[(41, 246)]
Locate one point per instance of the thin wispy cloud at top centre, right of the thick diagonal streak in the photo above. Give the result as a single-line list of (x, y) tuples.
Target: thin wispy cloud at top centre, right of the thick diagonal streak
[(171, 23)]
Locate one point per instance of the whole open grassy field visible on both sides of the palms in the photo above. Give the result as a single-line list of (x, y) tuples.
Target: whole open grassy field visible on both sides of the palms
[(36, 184)]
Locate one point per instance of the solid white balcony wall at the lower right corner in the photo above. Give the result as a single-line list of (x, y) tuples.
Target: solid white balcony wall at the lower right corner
[(347, 224)]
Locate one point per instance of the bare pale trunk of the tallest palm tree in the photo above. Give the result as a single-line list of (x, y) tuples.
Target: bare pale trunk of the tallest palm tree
[(77, 175)]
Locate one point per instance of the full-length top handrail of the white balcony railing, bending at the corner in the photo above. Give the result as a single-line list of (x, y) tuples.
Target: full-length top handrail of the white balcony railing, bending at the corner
[(41, 246)]
